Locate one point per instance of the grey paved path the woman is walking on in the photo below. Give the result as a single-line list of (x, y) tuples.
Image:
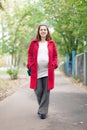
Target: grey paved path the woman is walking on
[(67, 109)]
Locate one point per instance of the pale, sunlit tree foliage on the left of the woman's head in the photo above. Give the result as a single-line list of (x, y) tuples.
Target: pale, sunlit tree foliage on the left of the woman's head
[(18, 29)]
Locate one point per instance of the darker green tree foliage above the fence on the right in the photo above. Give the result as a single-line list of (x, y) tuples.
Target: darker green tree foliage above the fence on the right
[(69, 19)]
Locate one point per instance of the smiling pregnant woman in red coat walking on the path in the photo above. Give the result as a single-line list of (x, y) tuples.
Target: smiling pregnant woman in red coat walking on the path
[(42, 60)]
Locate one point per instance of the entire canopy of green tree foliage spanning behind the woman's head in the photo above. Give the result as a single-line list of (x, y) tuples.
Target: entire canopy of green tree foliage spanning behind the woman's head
[(68, 18)]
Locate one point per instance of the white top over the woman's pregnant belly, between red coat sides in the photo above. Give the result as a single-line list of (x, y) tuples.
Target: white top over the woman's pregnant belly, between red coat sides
[(42, 59)]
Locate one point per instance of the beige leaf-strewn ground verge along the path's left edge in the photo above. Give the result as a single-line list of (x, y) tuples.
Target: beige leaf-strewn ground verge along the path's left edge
[(8, 86)]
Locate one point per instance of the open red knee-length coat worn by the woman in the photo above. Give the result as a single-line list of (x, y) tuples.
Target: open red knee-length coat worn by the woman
[(32, 62)]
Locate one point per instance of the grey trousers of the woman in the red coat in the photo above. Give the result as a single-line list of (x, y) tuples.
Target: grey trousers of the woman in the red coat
[(42, 94)]
